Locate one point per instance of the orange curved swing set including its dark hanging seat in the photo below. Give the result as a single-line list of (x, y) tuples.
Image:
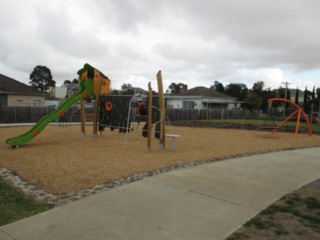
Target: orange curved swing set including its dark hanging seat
[(298, 112)]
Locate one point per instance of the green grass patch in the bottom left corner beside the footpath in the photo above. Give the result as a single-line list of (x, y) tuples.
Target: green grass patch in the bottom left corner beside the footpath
[(14, 205)]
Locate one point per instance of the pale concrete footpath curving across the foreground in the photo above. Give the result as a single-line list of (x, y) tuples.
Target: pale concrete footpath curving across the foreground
[(209, 201)]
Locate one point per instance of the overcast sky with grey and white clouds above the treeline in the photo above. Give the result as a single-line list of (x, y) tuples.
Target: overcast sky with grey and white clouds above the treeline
[(195, 42)]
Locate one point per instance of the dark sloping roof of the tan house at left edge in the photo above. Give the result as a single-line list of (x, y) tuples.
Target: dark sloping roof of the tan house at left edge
[(11, 86)]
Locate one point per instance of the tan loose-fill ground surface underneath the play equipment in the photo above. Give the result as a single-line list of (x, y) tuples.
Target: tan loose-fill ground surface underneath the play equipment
[(60, 160)]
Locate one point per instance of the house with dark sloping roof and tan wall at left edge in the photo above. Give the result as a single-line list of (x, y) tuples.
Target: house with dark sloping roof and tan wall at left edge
[(15, 93)]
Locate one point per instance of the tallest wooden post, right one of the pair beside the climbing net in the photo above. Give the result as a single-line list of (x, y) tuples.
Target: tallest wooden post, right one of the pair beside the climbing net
[(162, 111)]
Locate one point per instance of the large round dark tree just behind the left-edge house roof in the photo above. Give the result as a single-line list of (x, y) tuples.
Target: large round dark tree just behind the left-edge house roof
[(41, 79)]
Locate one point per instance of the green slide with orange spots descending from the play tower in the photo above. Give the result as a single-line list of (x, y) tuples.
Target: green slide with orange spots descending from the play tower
[(86, 88)]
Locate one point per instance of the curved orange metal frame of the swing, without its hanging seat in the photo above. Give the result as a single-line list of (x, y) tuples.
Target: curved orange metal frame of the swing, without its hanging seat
[(298, 111)]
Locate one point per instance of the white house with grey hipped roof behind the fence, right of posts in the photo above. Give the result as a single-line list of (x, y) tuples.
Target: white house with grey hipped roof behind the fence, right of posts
[(200, 98)]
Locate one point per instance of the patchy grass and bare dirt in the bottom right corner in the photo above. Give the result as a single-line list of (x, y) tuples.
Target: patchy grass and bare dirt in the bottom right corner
[(294, 216)]
